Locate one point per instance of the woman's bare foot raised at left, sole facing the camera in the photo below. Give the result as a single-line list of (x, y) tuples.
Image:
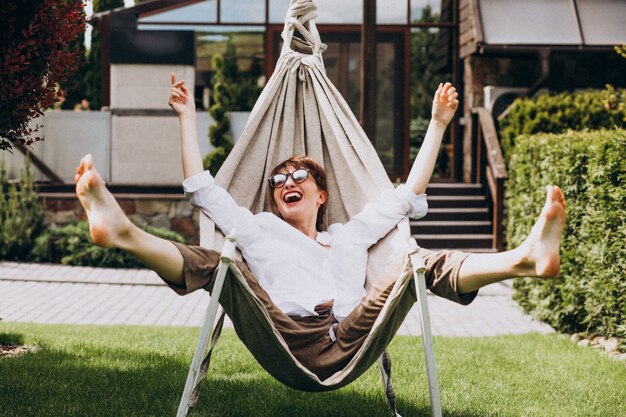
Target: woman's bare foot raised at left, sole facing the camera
[(108, 224)]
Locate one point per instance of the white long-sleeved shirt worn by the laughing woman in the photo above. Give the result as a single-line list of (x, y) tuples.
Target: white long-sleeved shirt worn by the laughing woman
[(295, 270)]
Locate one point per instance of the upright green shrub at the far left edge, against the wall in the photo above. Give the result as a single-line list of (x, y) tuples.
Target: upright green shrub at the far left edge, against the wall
[(21, 215)]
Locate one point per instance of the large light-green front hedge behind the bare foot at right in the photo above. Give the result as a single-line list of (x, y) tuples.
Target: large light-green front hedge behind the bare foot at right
[(590, 293)]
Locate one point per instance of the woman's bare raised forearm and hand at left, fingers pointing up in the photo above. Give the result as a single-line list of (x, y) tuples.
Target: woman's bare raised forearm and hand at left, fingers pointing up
[(182, 103)]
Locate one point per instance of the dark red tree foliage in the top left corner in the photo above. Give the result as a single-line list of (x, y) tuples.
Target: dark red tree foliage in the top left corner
[(35, 55)]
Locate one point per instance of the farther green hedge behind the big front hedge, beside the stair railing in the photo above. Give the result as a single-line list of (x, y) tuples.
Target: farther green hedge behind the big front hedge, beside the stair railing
[(557, 113)]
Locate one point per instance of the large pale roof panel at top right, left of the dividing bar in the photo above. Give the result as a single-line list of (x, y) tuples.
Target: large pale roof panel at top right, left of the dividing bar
[(529, 22)]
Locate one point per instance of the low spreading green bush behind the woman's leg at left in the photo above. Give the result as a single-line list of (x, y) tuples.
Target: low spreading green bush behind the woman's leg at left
[(71, 245)]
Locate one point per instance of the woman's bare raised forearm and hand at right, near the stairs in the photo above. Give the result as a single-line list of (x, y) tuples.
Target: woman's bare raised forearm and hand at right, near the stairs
[(445, 104)]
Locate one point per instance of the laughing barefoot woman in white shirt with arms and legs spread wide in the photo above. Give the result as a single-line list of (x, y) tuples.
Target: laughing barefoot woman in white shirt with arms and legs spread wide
[(311, 281)]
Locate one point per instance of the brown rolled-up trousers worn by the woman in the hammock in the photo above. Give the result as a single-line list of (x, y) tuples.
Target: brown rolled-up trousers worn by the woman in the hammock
[(308, 337)]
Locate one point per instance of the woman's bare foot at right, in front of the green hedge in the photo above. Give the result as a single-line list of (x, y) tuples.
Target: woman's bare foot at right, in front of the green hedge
[(541, 248)]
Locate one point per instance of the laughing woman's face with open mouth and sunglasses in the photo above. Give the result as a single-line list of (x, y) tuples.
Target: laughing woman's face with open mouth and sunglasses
[(298, 203)]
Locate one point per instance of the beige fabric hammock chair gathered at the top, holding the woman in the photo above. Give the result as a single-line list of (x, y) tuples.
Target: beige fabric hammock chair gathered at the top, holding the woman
[(300, 112)]
